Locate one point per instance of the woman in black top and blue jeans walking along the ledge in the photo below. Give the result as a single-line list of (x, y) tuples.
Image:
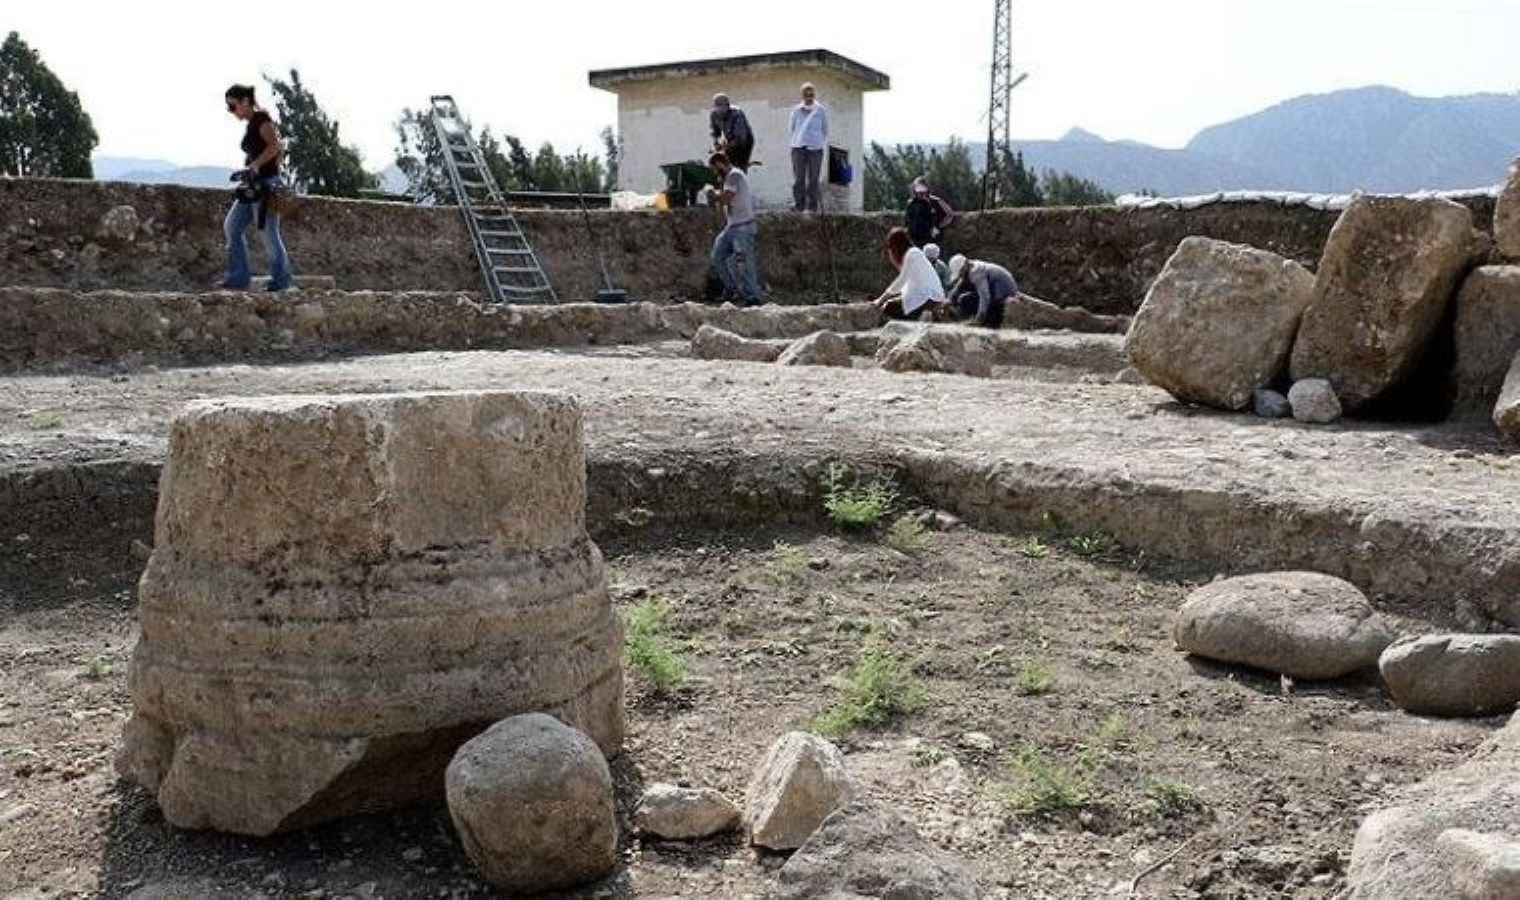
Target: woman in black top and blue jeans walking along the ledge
[(261, 179)]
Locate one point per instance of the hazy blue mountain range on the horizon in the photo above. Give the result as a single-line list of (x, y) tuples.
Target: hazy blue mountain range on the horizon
[(1375, 139)]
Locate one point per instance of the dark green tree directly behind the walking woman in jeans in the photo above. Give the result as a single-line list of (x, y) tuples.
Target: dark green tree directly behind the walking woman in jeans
[(317, 157)]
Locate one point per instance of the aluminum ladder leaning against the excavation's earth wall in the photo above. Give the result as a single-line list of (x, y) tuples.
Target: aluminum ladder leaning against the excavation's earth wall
[(508, 264)]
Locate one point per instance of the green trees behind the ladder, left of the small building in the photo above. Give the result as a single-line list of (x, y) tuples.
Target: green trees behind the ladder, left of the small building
[(515, 168)]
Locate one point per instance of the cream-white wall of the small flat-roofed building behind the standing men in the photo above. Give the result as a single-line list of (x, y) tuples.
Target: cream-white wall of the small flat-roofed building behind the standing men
[(668, 121)]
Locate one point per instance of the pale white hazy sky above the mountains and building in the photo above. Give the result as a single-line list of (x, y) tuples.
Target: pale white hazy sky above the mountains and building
[(153, 72)]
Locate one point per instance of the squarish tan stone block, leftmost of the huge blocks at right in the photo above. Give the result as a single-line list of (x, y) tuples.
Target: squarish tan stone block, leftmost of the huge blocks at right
[(1220, 322)]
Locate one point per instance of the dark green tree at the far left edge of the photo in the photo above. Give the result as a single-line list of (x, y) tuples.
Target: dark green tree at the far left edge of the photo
[(45, 132)]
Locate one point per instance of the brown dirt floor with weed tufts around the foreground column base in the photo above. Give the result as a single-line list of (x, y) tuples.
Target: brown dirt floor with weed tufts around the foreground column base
[(1039, 654)]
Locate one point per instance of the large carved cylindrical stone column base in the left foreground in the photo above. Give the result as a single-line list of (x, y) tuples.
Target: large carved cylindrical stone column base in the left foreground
[(346, 589)]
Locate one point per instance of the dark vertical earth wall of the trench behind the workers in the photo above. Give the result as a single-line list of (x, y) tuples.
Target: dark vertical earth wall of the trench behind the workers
[(55, 235)]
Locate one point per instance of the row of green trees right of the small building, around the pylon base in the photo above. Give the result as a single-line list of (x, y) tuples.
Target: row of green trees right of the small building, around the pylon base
[(952, 176)]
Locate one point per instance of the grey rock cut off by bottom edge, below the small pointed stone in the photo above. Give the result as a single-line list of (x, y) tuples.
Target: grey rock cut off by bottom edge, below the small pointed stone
[(870, 851)]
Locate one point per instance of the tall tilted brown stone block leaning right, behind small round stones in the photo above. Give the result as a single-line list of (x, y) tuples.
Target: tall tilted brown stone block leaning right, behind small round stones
[(1389, 274)]
